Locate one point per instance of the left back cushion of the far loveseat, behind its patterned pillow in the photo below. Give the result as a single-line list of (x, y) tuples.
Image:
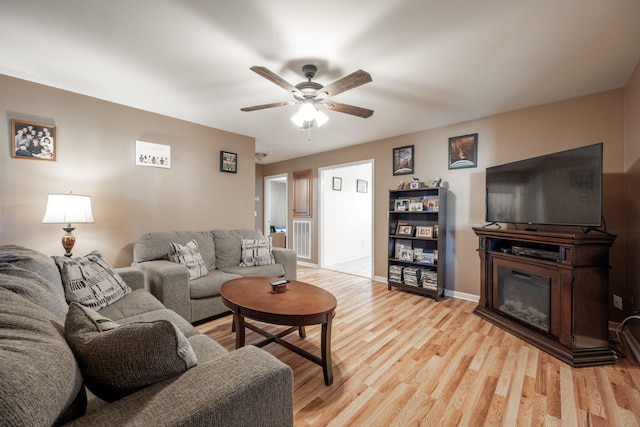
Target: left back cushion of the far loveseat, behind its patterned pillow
[(153, 246)]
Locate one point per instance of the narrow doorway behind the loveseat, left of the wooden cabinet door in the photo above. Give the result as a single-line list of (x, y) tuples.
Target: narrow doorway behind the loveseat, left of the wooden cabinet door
[(275, 209)]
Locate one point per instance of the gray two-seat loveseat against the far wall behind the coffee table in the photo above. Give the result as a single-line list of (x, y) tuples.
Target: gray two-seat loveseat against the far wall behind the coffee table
[(221, 250)]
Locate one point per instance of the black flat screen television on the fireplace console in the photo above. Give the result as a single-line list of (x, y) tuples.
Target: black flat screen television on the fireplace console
[(563, 188)]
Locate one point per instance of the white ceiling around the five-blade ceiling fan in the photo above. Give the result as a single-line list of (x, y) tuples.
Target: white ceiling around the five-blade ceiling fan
[(433, 62)]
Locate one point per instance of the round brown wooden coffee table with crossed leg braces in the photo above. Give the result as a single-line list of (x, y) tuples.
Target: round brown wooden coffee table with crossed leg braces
[(302, 304)]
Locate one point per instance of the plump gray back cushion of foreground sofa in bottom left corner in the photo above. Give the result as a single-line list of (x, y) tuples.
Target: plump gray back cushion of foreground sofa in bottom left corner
[(41, 382)]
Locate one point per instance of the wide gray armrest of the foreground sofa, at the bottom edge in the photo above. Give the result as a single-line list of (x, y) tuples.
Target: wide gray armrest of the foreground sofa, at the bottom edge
[(245, 387)]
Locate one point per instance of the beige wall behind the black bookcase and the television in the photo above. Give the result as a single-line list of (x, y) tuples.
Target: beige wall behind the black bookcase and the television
[(502, 138)]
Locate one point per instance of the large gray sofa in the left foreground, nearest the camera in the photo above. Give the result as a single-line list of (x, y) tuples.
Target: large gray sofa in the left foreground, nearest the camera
[(53, 354)]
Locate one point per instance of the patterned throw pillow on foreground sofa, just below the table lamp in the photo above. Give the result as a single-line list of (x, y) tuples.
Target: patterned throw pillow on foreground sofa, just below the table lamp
[(90, 280)]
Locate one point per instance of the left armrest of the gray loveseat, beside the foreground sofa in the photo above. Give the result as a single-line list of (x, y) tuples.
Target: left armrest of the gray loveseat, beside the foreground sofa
[(169, 282)]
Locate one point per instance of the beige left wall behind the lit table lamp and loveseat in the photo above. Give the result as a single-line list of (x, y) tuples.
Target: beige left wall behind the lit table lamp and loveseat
[(95, 156)]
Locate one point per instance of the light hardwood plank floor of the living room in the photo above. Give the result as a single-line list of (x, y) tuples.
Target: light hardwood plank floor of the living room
[(401, 359)]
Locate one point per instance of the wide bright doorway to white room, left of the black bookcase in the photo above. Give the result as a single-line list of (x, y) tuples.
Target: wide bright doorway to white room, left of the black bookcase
[(346, 218)]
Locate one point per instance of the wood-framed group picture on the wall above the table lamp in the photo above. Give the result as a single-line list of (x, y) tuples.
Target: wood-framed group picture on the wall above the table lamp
[(31, 140)]
